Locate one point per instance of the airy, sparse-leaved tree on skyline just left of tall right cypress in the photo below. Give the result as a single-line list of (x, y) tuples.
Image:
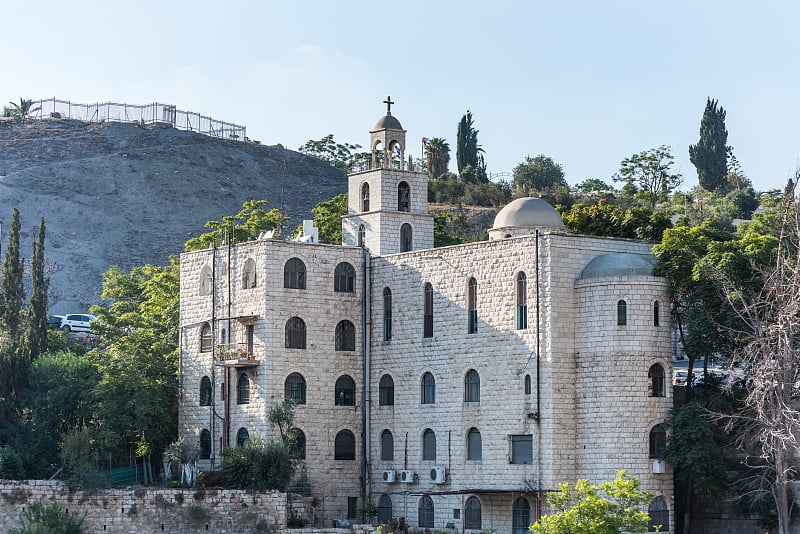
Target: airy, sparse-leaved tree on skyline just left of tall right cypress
[(650, 173)]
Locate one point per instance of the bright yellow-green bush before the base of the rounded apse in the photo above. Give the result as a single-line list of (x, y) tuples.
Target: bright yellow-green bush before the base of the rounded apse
[(607, 508)]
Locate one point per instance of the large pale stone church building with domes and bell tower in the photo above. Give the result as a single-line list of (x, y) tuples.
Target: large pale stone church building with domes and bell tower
[(451, 386)]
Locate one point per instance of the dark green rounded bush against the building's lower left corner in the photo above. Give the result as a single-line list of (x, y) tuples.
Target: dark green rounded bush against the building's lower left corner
[(259, 465)]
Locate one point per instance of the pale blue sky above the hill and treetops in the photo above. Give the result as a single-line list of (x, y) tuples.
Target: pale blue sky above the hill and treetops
[(586, 83)]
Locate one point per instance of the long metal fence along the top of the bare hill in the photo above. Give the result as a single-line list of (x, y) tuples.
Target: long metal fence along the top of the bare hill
[(155, 113)]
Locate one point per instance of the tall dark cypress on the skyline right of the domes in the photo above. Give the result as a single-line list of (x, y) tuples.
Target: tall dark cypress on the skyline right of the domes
[(710, 154)]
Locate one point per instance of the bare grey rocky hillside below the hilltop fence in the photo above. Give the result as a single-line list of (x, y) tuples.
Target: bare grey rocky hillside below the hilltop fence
[(123, 194)]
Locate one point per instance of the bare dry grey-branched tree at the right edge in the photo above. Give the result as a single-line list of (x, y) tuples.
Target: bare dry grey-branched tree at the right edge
[(768, 341)]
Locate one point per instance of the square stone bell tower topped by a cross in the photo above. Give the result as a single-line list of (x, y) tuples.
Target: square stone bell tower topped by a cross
[(387, 207)]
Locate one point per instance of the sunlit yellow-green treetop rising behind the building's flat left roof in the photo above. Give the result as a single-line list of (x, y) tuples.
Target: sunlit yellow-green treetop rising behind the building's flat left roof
[(246, 225)]
